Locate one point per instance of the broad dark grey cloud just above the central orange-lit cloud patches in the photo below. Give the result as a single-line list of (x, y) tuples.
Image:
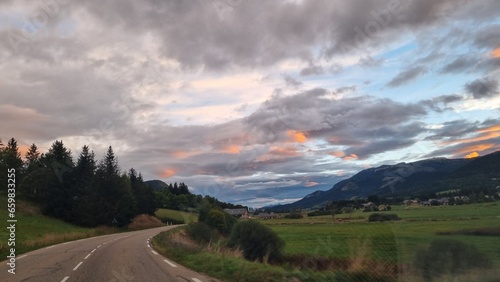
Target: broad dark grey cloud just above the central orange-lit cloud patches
[(352, 122)]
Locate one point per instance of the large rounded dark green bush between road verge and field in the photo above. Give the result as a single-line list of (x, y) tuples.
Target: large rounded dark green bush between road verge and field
[(257, 241)]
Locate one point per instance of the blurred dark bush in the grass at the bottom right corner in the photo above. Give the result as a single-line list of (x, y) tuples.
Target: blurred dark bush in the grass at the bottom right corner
[(445, 256)]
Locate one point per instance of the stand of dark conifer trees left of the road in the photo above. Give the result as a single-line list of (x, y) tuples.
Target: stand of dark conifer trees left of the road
[(85, 192)]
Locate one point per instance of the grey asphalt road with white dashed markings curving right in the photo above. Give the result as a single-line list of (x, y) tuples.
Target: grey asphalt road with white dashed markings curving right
[(113, 258)]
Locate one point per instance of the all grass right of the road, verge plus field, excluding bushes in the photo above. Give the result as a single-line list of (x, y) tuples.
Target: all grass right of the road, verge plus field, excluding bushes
[(357, 250)]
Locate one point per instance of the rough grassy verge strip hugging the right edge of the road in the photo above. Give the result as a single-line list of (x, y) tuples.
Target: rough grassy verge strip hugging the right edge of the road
[(220, 264)]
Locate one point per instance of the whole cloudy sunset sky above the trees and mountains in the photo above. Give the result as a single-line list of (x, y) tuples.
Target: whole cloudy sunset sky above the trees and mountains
[(253, 102)]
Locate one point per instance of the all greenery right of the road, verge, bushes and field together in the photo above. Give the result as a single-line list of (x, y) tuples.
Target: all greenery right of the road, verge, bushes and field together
[(349, 247)]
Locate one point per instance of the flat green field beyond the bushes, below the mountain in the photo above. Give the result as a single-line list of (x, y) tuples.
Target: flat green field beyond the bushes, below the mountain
[(390, 241)]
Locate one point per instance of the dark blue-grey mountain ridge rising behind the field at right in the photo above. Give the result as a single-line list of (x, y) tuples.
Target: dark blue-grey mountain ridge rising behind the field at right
[(408, 179)]
